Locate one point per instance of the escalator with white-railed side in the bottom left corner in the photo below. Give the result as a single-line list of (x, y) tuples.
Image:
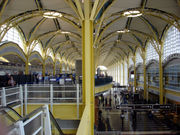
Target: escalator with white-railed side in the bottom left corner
[(38, 122)]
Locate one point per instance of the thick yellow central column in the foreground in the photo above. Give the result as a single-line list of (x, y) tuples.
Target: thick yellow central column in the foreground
[(89, 68)]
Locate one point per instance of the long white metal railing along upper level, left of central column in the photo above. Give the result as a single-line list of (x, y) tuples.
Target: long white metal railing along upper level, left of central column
[(40, 94)]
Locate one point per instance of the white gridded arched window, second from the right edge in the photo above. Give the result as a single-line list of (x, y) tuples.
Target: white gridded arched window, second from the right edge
[(151, 53)]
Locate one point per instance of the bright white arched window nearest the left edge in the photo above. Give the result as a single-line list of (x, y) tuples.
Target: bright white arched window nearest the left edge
[(14, 36)]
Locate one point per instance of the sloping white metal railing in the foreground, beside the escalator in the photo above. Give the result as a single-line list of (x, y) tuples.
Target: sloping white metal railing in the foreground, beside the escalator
[(37, 122)]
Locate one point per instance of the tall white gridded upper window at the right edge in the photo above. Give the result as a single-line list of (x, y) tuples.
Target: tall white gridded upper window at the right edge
[(172, 42)]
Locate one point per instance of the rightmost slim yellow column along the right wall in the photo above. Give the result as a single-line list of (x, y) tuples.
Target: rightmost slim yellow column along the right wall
[(161, 91)]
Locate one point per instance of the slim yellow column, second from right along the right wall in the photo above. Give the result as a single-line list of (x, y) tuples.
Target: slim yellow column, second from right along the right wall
[(145, 82)]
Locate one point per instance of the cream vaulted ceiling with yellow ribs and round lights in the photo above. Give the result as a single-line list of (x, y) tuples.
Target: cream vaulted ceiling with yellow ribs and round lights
[(116, 35)]
